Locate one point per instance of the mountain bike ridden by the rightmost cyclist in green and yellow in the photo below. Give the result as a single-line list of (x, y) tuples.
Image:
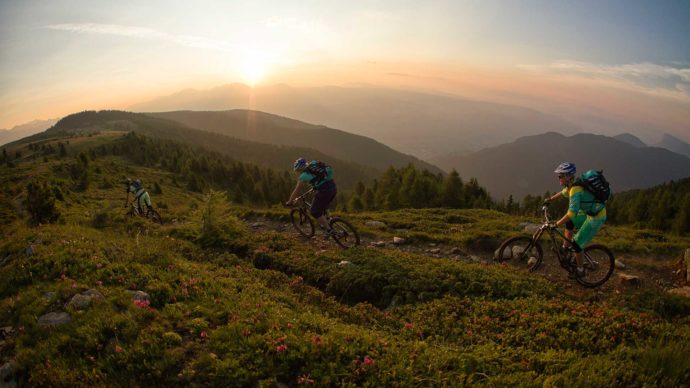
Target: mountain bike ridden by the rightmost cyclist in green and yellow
[(523, 251)]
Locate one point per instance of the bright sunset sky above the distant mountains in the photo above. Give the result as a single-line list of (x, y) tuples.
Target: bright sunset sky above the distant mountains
[(627, 61)]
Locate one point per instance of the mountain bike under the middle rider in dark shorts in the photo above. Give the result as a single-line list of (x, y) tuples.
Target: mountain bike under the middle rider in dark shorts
[(345, 235)]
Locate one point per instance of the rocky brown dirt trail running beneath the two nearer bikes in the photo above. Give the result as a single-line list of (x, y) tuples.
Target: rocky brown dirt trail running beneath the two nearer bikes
[(657, 273)]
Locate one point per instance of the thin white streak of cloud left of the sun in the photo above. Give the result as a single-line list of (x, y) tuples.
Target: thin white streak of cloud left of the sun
[(144, 33)]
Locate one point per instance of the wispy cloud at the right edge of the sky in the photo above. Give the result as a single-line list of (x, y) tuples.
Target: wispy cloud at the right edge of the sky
[(647, 77)]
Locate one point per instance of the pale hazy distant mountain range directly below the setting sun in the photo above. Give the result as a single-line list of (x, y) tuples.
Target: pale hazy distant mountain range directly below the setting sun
[(421, 124)]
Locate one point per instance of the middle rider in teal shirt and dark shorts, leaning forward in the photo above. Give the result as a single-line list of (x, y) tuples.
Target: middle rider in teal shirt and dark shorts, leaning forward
[(320, 177)]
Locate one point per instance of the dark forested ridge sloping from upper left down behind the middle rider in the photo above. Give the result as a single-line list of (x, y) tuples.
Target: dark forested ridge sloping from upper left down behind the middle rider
[(276, 157)]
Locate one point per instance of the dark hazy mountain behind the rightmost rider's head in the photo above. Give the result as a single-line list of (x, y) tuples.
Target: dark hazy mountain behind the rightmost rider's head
[(526, 165)]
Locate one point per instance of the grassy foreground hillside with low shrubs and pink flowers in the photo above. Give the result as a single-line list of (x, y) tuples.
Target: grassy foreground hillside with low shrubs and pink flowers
[(224, 292)]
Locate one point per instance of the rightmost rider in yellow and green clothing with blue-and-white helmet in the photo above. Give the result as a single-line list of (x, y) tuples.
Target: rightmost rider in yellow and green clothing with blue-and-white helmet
[(585, 213)]
